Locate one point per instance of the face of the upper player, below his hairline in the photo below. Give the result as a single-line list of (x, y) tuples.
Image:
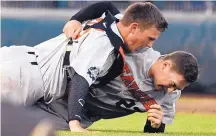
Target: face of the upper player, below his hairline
[(138, 39)]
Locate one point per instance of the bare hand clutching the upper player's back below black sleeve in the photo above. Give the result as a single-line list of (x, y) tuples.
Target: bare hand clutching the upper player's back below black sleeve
[(72, 28)]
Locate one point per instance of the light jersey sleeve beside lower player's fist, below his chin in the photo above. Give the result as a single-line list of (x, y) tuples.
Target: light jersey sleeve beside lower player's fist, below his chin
[(169, 107)]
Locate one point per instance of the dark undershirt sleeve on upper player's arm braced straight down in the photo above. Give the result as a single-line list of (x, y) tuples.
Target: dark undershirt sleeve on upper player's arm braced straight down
[(77, 92)]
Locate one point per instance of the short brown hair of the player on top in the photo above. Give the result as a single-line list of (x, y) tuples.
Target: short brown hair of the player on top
[(146, 14)]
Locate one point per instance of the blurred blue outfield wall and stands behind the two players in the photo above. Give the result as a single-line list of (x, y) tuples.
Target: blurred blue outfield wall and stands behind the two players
[(192, 27)]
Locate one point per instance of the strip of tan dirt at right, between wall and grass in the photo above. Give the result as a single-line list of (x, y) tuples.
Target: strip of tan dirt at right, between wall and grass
[(196, 103)]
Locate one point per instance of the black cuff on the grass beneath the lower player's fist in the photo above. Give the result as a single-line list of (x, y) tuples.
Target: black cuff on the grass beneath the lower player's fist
[(149, 129)]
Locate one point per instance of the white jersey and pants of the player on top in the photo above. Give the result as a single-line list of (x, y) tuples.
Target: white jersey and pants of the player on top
[(91, 56)]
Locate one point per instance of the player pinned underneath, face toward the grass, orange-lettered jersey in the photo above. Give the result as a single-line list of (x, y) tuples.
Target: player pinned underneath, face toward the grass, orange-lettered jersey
[(146, 85)]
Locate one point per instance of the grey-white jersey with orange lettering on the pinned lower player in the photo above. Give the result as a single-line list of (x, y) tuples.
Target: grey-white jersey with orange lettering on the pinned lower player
[(134, 90)]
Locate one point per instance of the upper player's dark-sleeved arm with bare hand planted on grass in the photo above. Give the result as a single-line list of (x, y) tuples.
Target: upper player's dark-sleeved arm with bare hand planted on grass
[(78, 90)]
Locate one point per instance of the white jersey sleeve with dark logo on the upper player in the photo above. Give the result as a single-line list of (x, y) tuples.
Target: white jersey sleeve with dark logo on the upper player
[(91, 57)]
